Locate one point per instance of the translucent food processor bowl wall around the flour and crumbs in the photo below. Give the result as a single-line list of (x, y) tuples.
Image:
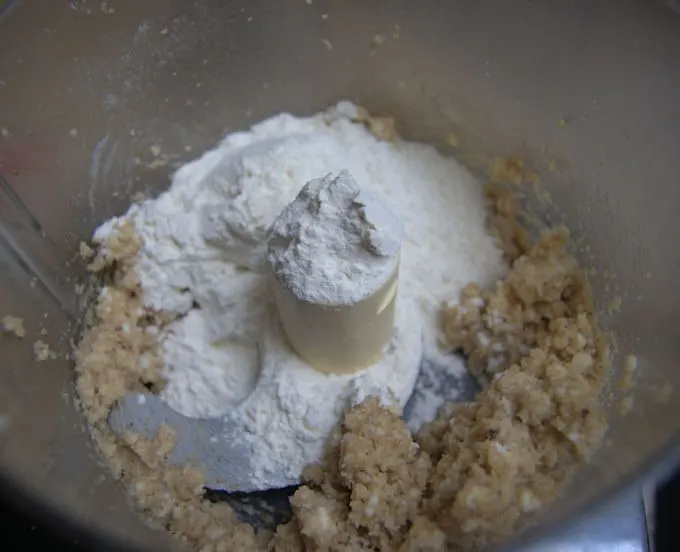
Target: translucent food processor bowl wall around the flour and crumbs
[(587, 92)]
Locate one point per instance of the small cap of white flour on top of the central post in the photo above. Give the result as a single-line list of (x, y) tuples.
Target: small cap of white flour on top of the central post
[(334, 245)]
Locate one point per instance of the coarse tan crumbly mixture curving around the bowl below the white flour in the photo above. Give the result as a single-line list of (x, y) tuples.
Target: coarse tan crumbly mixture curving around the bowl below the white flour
[(470, 478)]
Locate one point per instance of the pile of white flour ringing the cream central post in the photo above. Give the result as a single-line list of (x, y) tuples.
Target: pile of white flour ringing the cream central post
[(203, 261)]
